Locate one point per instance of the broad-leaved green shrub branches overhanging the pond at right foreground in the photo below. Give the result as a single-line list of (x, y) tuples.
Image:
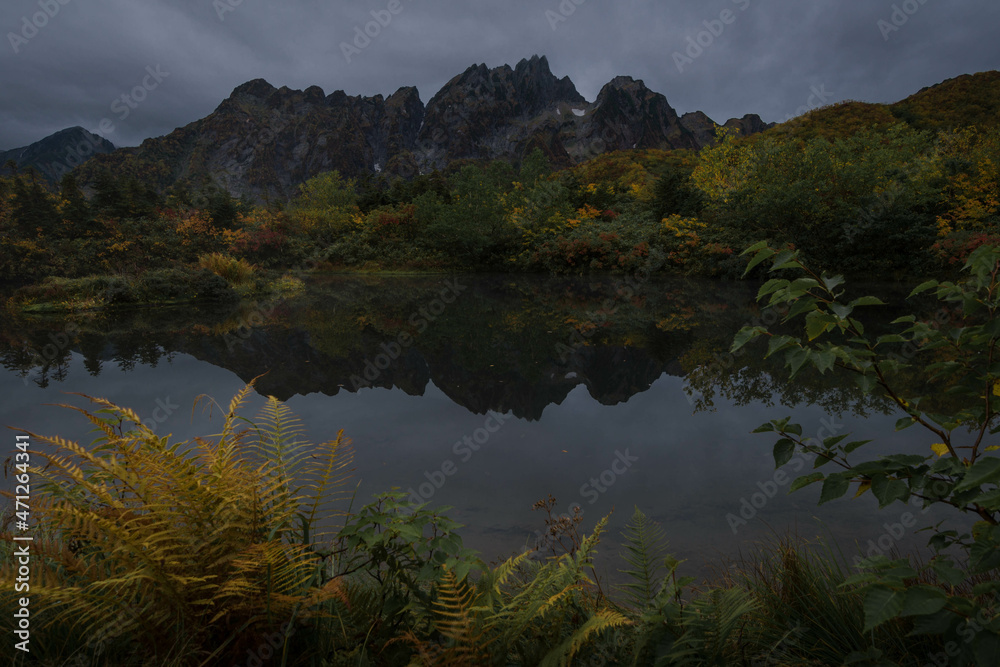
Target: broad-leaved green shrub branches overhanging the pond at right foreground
[(956, 600)]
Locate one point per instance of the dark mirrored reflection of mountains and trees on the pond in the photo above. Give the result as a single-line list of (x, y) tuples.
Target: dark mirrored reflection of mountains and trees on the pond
[(506, 344)]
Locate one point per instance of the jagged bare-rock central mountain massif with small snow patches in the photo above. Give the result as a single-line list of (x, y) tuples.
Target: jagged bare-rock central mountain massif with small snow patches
[(263, 141)]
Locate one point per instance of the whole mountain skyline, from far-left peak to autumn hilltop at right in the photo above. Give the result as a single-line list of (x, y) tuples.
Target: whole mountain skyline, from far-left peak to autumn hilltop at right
[(262, 142)]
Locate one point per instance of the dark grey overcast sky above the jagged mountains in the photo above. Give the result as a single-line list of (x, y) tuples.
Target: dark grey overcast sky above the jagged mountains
[(767, 59)]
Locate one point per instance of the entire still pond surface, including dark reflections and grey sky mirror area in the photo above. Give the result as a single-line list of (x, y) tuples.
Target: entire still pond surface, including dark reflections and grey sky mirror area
[(490, 393)]
